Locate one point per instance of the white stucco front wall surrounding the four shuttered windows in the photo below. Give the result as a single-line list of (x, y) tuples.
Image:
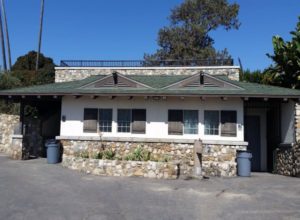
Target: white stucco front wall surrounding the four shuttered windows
[(156, 115)]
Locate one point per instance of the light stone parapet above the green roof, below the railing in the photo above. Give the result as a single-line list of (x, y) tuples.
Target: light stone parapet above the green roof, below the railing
[(65, 74)]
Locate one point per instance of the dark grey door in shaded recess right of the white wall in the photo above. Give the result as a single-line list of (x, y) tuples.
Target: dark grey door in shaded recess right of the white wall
[(252, 136)]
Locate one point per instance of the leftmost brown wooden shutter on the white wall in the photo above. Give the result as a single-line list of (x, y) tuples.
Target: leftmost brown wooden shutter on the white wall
[(90, 117)]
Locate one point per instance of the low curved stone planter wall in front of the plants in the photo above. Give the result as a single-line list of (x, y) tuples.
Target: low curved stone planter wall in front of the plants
[(149, 169)]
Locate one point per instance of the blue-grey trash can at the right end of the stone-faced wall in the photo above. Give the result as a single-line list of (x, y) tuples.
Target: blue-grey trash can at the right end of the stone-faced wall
[(244, 163)]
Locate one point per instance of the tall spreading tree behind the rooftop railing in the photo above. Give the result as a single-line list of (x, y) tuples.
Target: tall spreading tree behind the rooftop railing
[(187, 37)]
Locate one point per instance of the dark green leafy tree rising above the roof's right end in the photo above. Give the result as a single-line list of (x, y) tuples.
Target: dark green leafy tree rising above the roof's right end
[(286, 69)]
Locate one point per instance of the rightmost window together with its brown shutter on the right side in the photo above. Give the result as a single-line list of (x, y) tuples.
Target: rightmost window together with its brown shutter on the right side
[(228, 123)]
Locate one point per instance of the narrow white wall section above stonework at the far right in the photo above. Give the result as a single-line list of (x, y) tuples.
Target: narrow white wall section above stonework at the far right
[(288, 122)]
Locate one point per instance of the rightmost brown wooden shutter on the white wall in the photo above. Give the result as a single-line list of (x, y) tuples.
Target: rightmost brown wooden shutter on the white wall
[(228, 123)]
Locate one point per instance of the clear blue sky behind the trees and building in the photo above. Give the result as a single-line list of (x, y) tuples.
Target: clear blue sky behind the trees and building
[(118, 29)]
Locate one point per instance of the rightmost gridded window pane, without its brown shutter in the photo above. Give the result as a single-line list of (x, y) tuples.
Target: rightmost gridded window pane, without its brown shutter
[(211, 122)]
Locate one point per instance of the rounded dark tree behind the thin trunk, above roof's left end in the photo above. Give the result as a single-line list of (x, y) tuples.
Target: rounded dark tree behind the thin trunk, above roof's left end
[(24, 69)]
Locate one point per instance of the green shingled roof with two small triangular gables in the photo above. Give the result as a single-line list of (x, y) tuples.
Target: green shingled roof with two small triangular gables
[(162, 85)]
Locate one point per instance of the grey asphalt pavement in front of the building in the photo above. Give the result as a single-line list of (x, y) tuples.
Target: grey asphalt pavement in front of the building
[(34, 189)]
